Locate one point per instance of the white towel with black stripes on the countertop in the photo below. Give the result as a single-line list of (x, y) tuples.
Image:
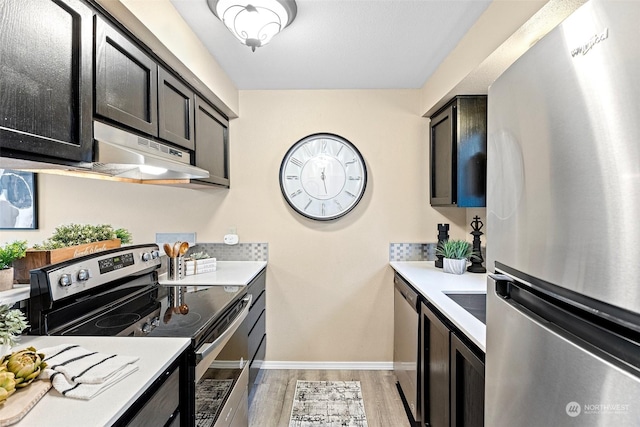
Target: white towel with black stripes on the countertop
[(77, 372)]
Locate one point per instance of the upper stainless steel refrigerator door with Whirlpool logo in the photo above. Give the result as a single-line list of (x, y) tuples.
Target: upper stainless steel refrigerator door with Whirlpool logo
[(563, 182)]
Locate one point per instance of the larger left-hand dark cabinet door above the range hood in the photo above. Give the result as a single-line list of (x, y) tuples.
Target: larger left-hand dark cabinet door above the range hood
[(126, 81)]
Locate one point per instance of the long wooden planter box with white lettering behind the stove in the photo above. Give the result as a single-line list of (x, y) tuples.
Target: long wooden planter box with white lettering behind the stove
[(37, 259)]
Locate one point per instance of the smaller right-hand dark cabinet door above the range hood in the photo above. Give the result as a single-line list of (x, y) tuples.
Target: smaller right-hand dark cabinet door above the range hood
[(175, 110)]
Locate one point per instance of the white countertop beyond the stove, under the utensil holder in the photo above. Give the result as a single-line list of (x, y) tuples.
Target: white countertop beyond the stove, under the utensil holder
[(232, 273)]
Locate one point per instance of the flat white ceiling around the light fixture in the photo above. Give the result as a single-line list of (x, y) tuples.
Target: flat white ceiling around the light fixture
[(342, 44)]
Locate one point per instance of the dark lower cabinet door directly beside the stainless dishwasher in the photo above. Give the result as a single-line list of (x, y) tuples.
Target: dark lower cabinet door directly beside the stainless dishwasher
[(435, 363)]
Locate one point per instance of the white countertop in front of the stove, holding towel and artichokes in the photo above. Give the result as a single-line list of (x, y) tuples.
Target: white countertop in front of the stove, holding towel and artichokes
[(156, 354)]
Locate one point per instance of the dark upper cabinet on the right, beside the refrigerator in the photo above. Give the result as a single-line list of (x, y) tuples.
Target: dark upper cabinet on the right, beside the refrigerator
[(458, 162)]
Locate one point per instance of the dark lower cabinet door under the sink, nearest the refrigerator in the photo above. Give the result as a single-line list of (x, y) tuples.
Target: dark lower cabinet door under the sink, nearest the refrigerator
[(467, 386)]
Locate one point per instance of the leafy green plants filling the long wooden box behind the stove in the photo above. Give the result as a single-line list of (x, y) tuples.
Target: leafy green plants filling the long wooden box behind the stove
[(80, 234)]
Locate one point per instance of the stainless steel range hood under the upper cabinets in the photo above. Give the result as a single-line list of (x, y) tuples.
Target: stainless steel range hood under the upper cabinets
[(121, 154)]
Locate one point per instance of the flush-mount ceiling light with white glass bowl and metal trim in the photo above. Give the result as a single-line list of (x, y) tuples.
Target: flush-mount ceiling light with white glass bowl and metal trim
[(254, 22)]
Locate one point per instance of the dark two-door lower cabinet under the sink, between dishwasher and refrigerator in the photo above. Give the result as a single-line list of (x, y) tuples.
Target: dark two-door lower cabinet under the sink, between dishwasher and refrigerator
[(452, 374)]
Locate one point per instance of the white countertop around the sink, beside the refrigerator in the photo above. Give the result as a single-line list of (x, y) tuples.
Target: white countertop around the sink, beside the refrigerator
[(433, 282)]
